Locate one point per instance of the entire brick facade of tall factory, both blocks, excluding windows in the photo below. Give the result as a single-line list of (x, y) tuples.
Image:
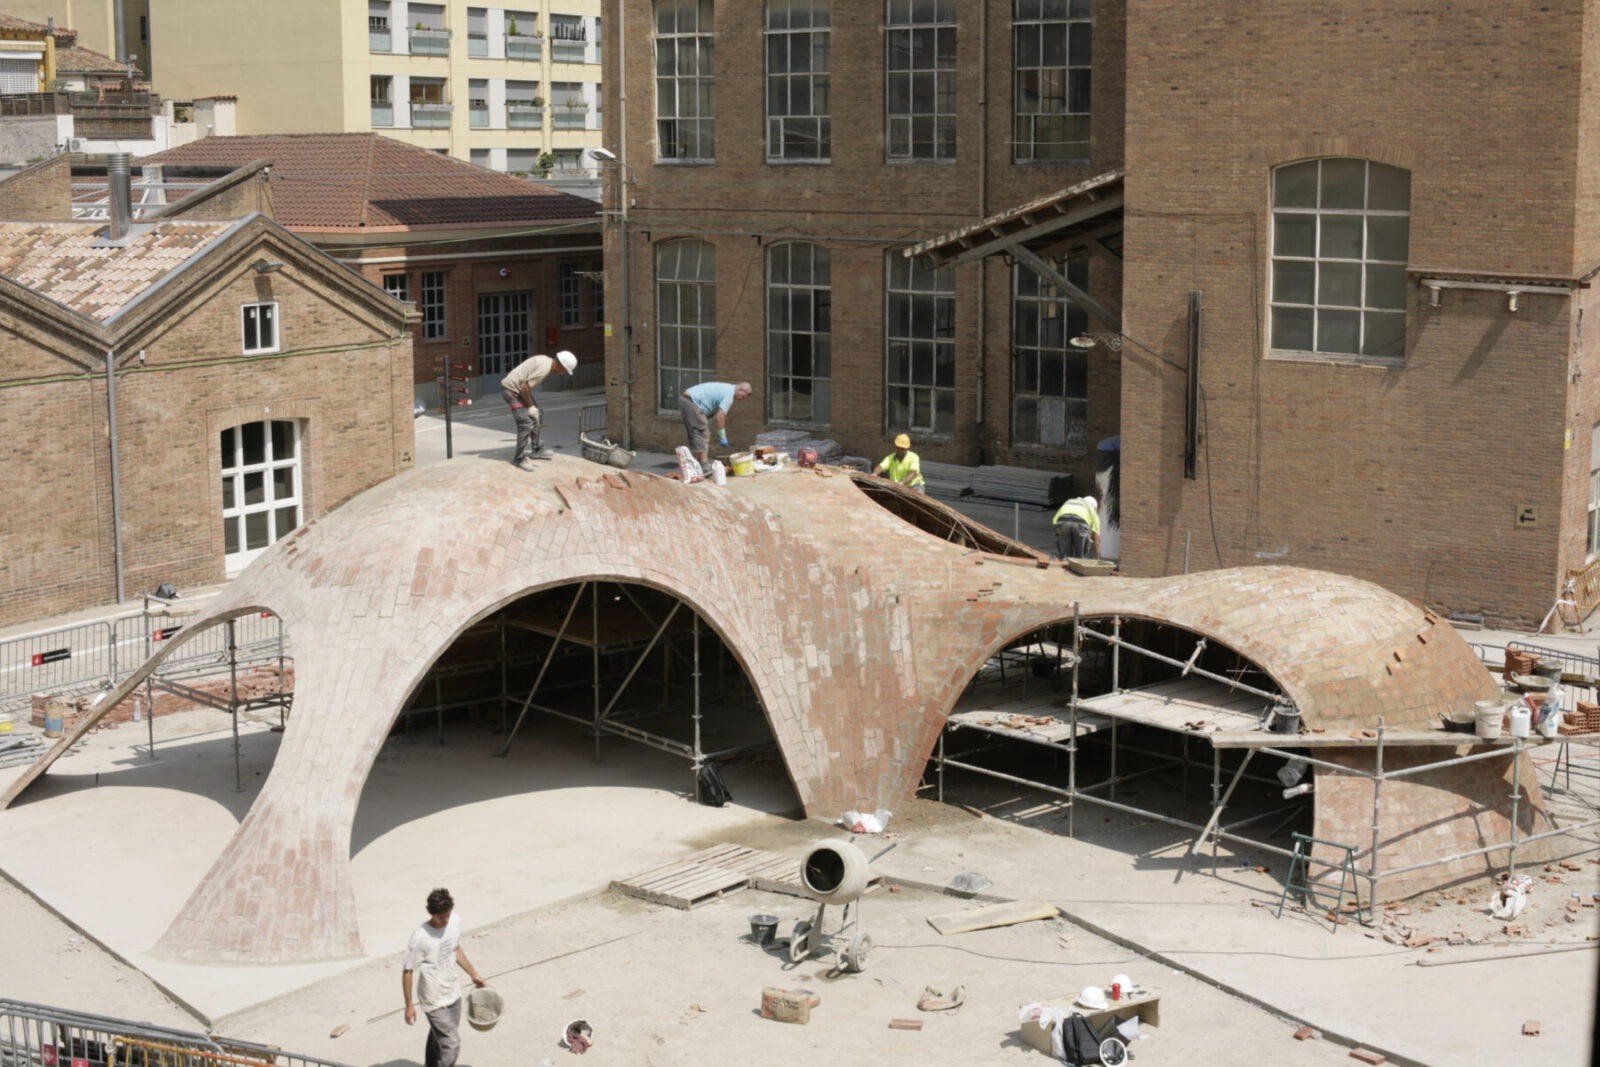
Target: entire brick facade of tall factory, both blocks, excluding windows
[(1418, 473)]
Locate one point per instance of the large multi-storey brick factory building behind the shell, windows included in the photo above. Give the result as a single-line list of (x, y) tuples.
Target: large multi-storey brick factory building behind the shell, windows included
[(1330, 268)]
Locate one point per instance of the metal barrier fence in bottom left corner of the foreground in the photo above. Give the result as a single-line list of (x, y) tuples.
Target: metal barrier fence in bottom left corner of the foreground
[(38, 1036)]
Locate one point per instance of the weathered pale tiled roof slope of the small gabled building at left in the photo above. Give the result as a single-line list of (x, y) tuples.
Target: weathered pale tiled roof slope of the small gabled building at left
[(60, 260)]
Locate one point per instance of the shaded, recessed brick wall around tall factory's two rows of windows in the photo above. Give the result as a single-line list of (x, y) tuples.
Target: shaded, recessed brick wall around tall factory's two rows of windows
[(860, 207)]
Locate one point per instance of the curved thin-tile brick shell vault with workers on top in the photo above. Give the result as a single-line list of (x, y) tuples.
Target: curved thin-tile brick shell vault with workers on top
[(858, 633)]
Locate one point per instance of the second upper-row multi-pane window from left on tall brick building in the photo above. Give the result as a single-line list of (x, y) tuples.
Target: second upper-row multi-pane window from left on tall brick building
[(799, 39)]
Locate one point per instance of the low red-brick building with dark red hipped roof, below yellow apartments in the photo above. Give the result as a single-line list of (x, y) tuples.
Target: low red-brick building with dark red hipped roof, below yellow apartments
[(498, 268)]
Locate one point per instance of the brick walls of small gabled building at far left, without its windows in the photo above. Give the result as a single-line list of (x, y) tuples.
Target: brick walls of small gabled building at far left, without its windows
[(340, 370)]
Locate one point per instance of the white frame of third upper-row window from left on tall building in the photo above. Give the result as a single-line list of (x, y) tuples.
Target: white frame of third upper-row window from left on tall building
[(900, 124)]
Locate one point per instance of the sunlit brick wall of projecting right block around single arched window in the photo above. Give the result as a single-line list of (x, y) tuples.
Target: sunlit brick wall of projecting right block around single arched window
[(1407, 476)]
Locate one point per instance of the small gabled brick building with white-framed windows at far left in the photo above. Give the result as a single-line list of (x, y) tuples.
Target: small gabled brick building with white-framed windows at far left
[(254, 388)]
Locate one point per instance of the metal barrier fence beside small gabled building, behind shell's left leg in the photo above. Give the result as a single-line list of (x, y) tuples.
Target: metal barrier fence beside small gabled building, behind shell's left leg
[(100, 655)]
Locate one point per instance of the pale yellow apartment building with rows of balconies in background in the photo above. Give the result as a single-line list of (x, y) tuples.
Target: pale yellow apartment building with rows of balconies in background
[(511, 89)]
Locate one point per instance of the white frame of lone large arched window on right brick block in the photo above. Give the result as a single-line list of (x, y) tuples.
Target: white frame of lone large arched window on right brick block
[(1367, 268)]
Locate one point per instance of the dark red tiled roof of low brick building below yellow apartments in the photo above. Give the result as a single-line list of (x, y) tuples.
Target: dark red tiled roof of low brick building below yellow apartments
[(364, 182)]
